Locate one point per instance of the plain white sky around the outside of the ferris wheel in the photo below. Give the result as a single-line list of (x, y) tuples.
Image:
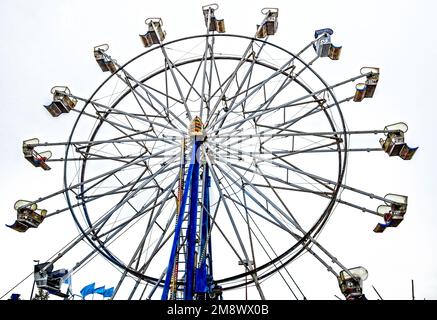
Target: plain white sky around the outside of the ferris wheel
[(44, 43)]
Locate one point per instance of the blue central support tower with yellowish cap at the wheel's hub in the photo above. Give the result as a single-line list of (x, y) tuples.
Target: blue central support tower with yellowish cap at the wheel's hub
[(197, 280)]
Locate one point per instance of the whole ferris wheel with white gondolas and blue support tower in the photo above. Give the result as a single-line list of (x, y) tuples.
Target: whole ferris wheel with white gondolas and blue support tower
[(206, 153)]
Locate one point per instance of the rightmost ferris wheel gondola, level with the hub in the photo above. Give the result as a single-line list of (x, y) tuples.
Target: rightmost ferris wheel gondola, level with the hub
[(394, 143)]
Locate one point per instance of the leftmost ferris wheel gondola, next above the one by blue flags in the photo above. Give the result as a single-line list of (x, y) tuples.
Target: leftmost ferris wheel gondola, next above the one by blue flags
[(28, 216)]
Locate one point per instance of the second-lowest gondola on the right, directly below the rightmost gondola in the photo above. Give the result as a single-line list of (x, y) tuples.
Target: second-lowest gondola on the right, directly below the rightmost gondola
[(393, 212)]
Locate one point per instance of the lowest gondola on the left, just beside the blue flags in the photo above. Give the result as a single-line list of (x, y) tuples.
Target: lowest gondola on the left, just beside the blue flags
[(52, 281)]
